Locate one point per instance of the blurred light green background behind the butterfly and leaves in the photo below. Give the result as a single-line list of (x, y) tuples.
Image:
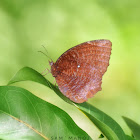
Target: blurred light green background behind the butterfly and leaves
[(26, 25)]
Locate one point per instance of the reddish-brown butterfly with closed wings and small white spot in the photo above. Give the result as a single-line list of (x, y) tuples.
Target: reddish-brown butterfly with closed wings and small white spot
[(79, 70)]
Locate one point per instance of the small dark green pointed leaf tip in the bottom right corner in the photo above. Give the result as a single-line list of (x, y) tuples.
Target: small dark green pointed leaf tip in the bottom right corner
[(135, 128)]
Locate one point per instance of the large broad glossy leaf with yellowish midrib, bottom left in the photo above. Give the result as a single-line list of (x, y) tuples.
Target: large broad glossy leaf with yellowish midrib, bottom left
[(25, 116)]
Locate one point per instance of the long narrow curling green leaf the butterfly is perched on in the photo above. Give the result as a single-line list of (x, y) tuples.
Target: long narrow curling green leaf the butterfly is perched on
[(106, 124)]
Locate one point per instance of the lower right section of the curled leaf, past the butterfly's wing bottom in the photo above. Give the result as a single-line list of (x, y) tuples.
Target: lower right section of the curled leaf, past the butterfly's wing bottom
[(109, 127)]
